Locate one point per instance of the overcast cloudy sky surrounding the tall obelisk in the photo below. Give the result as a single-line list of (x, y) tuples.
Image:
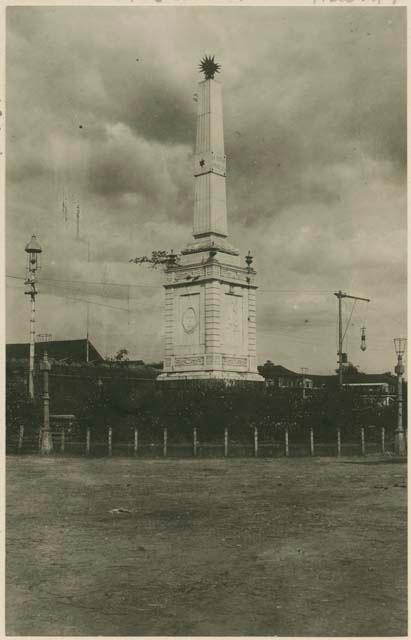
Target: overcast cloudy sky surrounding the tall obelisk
[(100, 111)]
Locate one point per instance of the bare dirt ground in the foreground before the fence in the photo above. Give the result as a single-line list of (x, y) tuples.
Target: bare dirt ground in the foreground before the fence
[(206, 547)]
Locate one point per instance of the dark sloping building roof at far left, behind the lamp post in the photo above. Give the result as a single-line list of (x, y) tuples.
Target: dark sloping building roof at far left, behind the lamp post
[(69, 350)]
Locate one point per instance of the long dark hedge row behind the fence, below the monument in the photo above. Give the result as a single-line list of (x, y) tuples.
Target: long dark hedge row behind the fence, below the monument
[(125, 403)]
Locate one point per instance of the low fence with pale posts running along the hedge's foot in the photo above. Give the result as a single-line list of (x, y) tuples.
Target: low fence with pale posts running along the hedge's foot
[(277, 443)]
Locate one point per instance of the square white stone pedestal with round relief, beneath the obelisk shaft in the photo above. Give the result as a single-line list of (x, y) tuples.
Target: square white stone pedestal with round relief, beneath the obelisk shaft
[(210, 330)]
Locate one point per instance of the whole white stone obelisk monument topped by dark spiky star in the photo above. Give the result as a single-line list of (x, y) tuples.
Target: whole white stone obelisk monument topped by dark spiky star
[(210, 299)]
